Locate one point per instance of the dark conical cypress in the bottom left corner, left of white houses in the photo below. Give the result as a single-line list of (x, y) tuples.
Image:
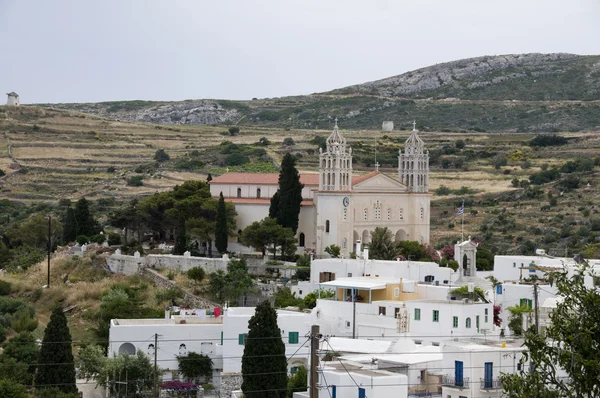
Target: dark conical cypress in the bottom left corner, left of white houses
[(55, 366)]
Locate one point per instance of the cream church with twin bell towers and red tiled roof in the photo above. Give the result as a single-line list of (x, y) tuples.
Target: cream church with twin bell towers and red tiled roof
[(339, 207)]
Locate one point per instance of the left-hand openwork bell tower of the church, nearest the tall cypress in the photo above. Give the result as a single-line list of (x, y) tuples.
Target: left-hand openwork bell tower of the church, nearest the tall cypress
[(335, 163)]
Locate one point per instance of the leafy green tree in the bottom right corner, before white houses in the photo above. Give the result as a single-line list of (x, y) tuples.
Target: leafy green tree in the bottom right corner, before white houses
[(570, 344)]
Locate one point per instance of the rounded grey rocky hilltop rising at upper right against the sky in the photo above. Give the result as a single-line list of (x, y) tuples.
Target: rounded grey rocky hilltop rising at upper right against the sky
[(525, 77)]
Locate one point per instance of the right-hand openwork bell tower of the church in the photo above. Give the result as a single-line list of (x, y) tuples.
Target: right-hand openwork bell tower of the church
[(413, 164)]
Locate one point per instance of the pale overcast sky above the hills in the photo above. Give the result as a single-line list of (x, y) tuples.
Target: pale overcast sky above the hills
[(108, 50)]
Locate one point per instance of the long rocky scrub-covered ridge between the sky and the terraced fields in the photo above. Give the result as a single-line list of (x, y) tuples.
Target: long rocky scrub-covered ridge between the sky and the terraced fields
[(508, 93)]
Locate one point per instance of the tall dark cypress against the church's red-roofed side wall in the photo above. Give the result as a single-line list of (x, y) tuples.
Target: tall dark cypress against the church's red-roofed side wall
[(290, 194)]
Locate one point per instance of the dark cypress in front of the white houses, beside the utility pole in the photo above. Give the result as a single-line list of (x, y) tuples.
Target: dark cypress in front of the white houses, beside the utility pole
[(264, 365)]
